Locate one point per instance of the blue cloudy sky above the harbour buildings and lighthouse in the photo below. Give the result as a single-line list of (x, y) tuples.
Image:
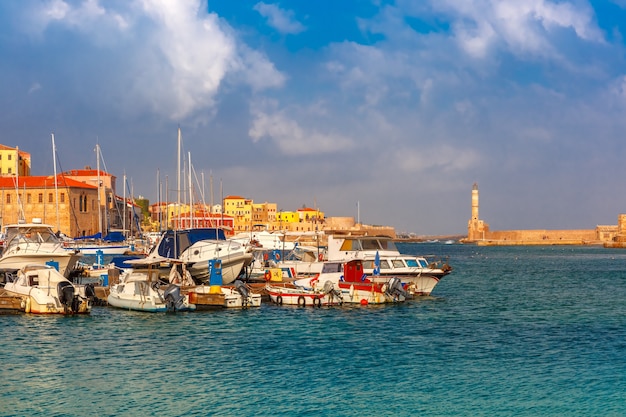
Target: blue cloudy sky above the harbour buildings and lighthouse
[(385, 111)]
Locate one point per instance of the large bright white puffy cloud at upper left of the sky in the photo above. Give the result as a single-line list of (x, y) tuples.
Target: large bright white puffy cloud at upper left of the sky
[(174, 56)]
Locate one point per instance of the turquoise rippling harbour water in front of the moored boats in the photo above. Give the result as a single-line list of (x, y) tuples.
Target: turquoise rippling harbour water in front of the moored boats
[(521, 331)]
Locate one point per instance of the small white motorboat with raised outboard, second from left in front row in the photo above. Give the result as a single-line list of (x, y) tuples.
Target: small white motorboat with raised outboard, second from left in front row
[(143, 289)]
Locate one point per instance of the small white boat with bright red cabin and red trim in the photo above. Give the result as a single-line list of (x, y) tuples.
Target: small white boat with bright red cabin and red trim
[(356, 286)]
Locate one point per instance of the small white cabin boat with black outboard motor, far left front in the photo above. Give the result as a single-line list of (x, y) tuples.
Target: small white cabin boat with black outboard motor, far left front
[(46, 291)]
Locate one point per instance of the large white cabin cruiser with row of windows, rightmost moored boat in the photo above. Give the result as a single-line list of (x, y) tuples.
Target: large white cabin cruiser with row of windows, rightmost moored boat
[(421, 275)]
